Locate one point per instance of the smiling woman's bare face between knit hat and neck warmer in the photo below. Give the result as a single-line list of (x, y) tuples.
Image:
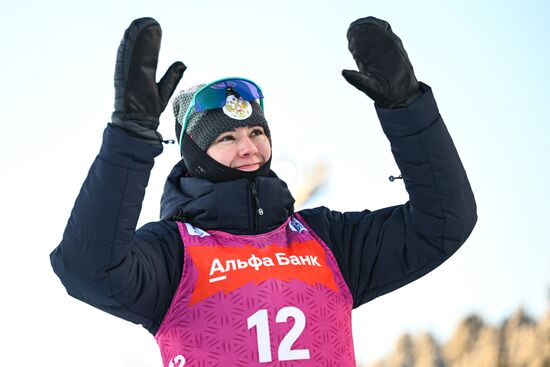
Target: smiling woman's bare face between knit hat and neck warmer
[(245, 148)]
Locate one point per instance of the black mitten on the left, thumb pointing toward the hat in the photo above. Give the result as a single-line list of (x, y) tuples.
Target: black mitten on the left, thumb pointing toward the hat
[(139, 99)]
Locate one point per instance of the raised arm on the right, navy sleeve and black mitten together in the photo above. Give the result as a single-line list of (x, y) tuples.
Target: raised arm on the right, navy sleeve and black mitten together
[(385, 249)]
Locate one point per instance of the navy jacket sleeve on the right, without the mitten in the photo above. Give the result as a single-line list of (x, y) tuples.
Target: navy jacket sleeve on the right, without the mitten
[(382, 250)]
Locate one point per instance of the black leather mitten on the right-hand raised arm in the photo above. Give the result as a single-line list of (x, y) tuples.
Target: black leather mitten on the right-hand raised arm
[(385, 72)]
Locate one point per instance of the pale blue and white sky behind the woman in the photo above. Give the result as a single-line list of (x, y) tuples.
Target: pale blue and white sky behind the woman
[(488, 67)]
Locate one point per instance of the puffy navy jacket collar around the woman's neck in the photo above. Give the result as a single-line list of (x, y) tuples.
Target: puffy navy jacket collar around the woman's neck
[(242, 206)]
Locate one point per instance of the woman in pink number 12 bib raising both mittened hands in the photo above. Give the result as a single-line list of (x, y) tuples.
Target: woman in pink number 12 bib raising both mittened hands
[(231, 275)]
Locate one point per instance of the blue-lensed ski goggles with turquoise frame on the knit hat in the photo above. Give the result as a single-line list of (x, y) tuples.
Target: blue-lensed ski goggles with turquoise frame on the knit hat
[(214, 95)]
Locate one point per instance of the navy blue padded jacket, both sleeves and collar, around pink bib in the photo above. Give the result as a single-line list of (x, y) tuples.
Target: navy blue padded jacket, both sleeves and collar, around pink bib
[(133, 274)]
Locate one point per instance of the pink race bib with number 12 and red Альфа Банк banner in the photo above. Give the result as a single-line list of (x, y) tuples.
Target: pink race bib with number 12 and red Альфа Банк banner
[(275, 299)]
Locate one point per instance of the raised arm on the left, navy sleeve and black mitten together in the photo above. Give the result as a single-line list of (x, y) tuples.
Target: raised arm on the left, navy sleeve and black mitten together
[(101, 259)]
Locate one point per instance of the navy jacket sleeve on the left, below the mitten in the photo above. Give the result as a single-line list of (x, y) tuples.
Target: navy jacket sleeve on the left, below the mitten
[(102, 259)]
